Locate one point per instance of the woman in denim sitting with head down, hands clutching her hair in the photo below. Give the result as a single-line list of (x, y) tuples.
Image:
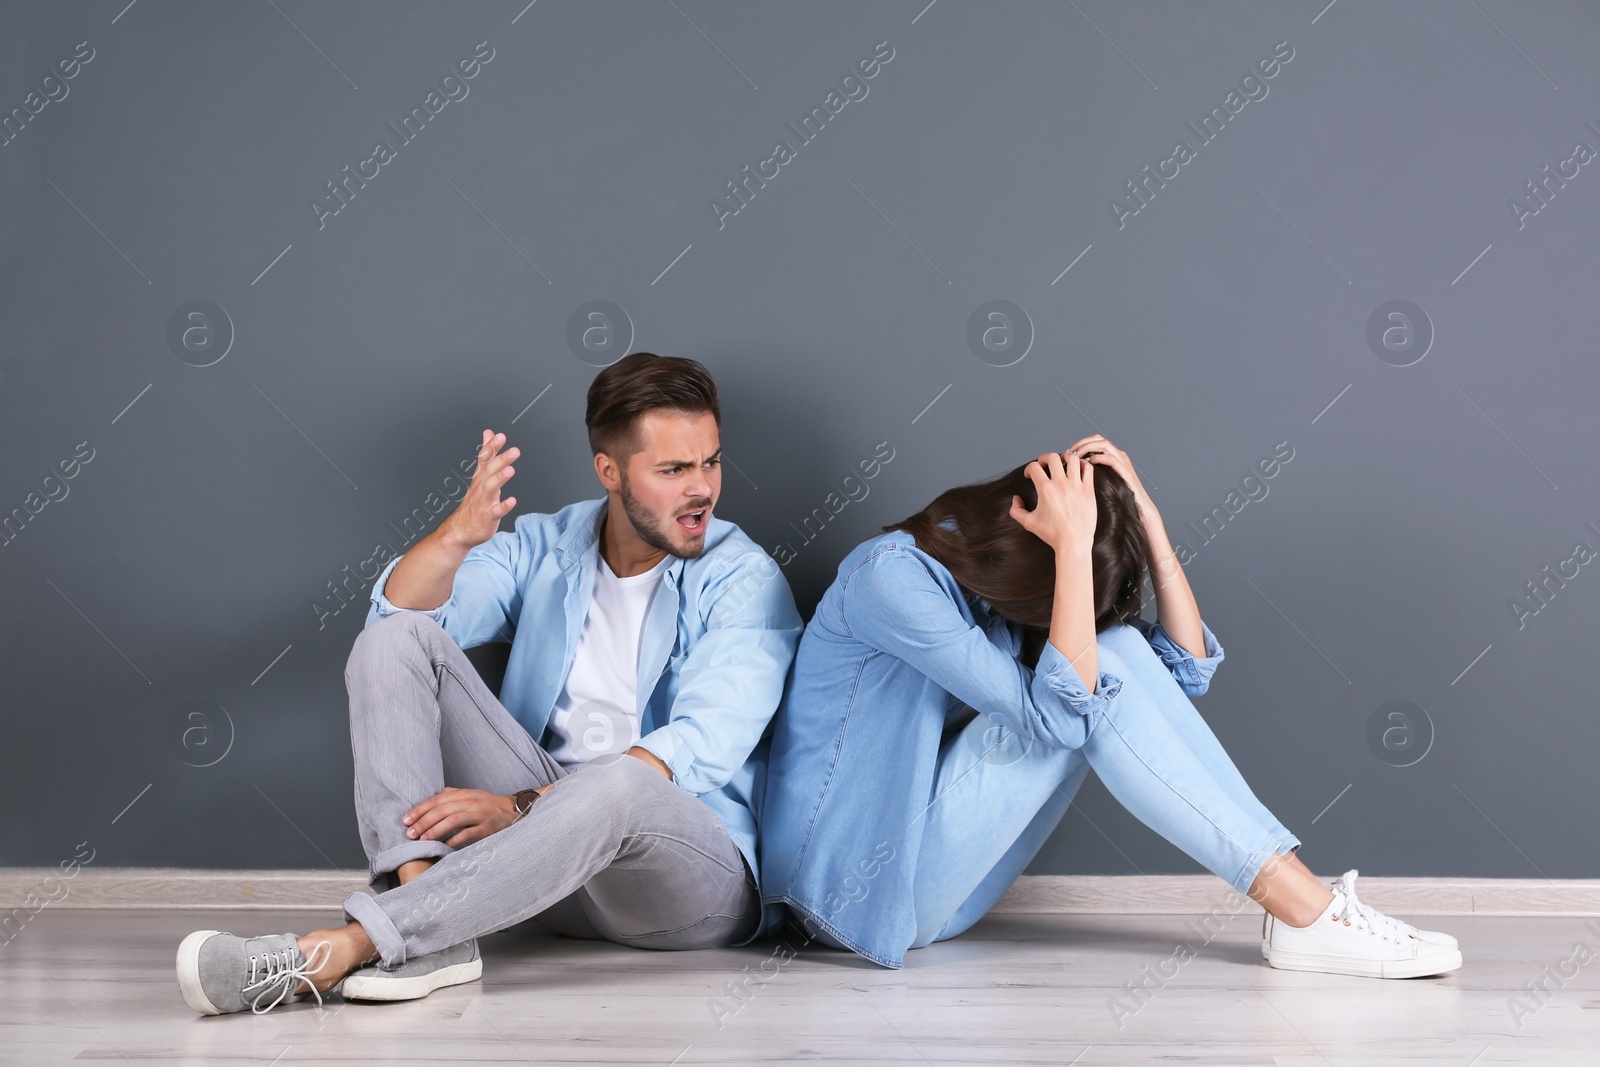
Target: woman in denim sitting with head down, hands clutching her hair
[(940, 721)]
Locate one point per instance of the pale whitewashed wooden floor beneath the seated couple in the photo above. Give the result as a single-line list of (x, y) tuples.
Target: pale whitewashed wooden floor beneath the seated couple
[(1017, 989)]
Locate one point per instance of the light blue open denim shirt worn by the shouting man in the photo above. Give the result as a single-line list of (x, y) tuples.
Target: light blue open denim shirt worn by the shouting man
[(713, 658)]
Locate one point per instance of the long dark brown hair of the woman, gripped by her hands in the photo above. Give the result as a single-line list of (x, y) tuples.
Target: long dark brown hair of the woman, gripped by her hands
[(993, 556)]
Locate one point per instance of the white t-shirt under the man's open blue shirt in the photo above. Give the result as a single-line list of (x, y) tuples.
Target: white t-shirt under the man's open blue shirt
[(596, 713)]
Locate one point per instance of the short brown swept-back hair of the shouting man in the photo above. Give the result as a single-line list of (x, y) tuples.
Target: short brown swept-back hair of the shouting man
[(641, 383)]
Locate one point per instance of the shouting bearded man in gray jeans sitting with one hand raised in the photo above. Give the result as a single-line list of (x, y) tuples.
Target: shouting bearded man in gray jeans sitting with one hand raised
[(612, 791)]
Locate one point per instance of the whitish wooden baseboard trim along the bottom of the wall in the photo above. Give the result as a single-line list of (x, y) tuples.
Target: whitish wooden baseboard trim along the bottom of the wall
[(1062, 895)]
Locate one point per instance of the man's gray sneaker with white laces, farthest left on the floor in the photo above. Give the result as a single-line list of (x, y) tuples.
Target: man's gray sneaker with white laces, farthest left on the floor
[(222, 973)]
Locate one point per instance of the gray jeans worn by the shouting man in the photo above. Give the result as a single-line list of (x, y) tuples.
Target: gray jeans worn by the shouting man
[(612, 852)]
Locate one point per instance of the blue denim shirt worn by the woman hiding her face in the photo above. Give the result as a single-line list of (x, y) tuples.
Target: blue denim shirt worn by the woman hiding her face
[(894, 653)]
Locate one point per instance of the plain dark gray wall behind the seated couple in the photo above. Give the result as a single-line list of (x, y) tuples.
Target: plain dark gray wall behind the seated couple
[(174, 607)]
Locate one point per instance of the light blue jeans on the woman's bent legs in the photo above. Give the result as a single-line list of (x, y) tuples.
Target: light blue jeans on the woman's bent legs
[(999, 796)]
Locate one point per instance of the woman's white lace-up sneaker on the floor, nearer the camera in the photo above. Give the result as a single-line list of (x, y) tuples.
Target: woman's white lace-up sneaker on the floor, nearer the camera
[(1353, 938)]
